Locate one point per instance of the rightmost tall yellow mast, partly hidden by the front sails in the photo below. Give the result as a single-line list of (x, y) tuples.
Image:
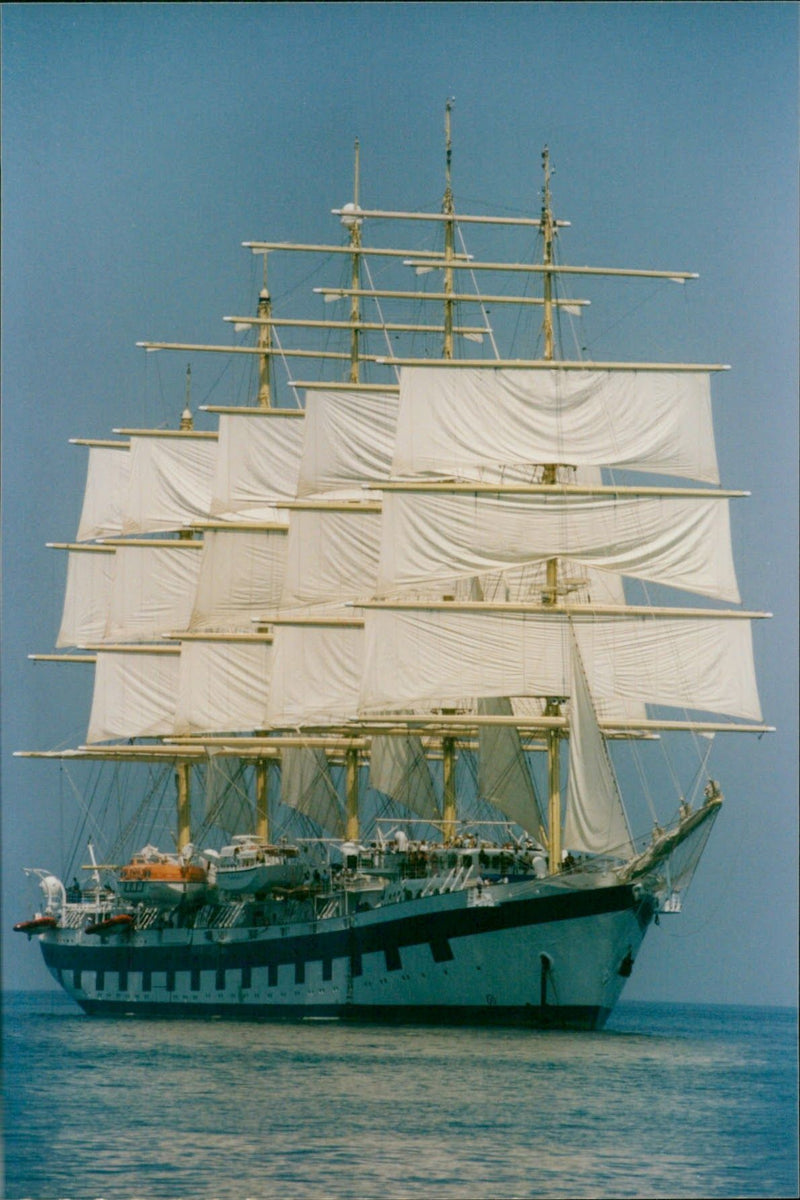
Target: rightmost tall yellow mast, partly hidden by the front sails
[(554, 707)]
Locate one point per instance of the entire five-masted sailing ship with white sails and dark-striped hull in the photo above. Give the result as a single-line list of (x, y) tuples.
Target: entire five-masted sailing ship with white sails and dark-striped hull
[(376, 627)]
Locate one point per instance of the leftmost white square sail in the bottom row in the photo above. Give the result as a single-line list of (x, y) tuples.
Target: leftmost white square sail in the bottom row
[(135, 694)]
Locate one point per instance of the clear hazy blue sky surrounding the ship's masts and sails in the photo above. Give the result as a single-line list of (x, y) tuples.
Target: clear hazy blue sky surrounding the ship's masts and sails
[(143, 143)]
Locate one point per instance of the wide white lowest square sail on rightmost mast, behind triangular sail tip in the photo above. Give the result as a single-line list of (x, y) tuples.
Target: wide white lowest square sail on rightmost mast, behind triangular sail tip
[(437, 657)]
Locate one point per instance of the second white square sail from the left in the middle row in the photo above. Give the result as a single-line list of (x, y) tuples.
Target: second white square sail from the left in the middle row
[(153, 591)]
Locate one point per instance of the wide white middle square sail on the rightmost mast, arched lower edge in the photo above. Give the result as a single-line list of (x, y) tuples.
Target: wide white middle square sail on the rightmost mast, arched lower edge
[(681, 542)]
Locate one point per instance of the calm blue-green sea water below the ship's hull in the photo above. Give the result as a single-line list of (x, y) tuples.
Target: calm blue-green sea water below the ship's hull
[(670, 1101)]
